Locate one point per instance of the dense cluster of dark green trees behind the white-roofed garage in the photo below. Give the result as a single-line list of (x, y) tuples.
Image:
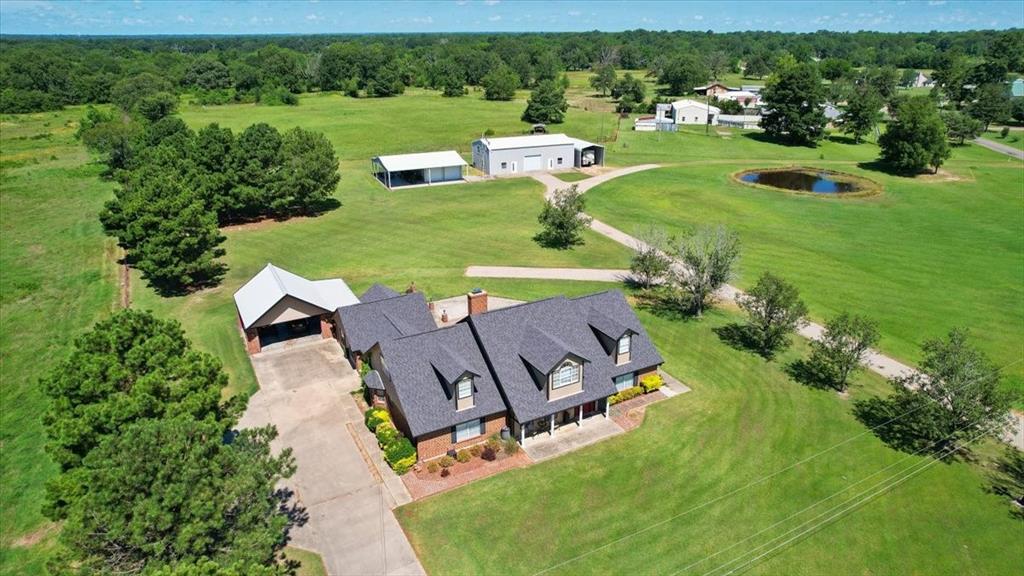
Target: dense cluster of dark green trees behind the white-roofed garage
[(178, 187)]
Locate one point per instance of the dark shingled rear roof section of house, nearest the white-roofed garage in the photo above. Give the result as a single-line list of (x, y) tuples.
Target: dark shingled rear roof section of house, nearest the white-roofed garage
[(369, 323)]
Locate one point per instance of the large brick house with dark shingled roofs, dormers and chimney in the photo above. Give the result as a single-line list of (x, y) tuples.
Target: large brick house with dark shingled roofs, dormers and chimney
[(529, 369)]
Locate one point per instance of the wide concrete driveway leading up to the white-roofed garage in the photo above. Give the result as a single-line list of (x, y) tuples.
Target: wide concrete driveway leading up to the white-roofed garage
[(305, 391)]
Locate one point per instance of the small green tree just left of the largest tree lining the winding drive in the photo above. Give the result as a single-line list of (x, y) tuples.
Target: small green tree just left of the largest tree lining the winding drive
[(843, 348)]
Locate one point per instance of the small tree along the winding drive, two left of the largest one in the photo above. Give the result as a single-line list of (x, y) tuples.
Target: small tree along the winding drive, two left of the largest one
[(775, 312)]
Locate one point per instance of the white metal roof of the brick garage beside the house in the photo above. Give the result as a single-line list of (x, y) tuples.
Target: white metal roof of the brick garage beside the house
[(272, 284)]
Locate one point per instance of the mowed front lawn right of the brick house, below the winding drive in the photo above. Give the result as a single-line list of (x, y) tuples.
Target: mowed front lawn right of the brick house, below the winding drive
[(622, 507)]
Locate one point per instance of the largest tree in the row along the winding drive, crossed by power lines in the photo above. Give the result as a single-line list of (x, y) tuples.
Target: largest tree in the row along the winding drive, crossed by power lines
[(954, 397)]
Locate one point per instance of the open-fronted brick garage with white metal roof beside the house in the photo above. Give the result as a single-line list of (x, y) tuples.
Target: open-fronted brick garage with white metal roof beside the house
[(277, 306)]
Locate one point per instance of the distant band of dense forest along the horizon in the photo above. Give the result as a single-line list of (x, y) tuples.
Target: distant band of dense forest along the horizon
[(38, 73)]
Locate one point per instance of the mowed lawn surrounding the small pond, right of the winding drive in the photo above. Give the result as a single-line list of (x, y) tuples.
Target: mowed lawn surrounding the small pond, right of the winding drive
[(924, 258)]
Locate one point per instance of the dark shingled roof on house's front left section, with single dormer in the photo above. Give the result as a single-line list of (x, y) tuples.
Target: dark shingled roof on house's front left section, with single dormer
[(423, 369)]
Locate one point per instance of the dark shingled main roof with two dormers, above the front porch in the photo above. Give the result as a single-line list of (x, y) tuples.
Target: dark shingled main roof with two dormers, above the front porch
[(513, 338)]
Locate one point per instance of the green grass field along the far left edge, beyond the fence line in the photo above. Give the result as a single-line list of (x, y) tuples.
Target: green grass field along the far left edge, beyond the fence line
[(59, 276)]
